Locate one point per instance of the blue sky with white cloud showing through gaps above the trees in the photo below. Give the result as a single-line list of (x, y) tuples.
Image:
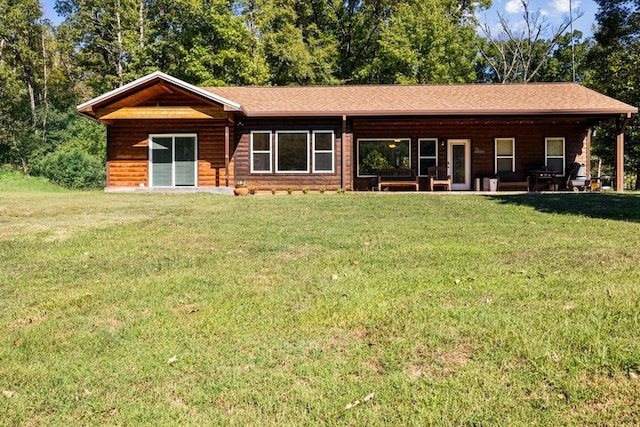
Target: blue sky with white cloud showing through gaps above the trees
[(553, 10)]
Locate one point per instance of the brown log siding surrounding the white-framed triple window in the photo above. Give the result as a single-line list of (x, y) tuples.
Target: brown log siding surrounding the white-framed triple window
[(282, 181)]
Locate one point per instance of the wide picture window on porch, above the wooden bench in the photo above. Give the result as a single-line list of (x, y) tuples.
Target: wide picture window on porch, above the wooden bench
[(374, 154)]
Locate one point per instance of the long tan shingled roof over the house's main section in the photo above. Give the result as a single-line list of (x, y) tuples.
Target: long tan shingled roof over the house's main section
[(433, 100)]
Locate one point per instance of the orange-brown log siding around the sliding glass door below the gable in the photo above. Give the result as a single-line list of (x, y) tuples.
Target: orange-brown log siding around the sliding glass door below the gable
[(128, 150)]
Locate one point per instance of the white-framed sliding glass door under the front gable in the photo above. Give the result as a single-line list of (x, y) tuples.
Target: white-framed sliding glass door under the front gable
[(173, 160)]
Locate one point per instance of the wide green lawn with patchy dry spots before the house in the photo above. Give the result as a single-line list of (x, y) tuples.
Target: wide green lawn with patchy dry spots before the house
[(197, 309)]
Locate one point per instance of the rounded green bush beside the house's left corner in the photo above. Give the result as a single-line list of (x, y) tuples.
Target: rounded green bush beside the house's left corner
[(73, 169)]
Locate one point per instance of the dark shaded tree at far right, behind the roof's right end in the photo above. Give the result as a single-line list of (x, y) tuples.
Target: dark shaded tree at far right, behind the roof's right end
[(613, 63)]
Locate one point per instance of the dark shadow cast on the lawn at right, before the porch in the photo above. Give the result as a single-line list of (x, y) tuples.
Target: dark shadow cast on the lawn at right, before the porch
[(616, 206)]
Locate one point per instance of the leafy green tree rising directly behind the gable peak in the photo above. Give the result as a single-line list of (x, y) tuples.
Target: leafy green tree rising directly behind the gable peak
[(202, 41)]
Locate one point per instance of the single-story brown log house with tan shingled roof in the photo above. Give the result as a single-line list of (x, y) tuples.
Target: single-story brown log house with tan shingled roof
[(166, 133)]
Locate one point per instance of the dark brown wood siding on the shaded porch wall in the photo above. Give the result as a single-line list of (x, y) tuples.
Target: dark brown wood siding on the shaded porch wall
[(529, 134)]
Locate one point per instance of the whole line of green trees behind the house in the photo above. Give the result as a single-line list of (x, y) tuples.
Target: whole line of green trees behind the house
[(45, 69)]
